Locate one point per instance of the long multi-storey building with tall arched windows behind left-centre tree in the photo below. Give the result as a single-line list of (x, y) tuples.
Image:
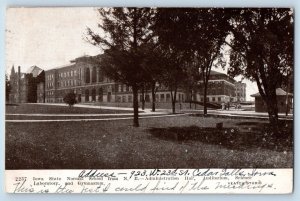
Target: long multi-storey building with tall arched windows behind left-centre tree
[(89, 84)]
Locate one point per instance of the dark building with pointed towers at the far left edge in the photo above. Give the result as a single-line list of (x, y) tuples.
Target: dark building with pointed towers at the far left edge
[(24, 85)]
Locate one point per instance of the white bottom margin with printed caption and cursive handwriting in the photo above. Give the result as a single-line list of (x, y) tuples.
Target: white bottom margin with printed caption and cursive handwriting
[(149, 181)]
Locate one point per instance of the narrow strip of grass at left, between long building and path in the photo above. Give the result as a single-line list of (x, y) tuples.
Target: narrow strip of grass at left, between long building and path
[(53, 109)]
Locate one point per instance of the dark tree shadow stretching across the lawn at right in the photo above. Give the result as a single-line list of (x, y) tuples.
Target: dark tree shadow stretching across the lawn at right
[(253, 135)]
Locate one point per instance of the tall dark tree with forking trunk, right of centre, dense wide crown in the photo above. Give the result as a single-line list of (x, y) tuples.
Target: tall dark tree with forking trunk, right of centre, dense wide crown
[(199, 33)]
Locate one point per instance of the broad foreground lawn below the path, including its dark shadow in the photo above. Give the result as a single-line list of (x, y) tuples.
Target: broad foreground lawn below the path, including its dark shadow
[(168, 142)]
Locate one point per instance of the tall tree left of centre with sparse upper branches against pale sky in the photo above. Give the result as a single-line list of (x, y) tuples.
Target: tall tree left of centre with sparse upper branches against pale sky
[(124, 31)]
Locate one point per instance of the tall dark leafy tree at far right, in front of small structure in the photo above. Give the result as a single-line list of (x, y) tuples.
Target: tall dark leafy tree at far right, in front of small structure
[(262, 50)]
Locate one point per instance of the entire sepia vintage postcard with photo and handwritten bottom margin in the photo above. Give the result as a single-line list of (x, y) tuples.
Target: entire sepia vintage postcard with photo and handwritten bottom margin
[(149, 100)]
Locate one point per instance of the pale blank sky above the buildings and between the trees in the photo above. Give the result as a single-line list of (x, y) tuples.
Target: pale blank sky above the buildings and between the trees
[(51, 37)]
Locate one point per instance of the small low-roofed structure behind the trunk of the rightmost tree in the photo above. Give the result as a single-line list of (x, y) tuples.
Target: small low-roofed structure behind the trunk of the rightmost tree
[(284, 101)]
